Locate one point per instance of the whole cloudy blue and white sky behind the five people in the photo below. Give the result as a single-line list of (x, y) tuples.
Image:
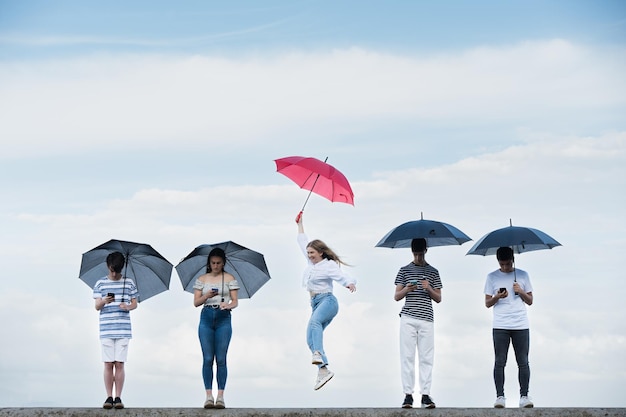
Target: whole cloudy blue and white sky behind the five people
[(159, 122)]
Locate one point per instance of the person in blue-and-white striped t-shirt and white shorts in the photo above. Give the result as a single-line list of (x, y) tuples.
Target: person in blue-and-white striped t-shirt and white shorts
[(115, 296)]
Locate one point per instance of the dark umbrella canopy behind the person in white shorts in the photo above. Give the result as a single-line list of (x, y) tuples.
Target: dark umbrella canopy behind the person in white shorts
[(149, 270)]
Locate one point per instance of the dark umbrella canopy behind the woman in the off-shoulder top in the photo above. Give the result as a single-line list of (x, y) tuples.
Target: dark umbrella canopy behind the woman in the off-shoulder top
[(247, 266)]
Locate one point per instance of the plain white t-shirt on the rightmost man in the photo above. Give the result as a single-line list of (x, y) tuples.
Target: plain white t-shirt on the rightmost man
[(509, 313)]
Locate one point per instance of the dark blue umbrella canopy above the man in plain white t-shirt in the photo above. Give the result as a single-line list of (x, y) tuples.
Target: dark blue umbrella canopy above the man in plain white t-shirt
[(520, 239)]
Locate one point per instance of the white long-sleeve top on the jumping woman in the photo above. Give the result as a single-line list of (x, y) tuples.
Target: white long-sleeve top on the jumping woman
[(319, 277)]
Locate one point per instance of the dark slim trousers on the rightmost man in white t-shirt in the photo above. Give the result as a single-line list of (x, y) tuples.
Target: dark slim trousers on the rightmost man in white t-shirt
[(502, 338)]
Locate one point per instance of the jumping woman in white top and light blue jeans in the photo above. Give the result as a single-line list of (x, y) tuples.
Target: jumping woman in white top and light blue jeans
[(323, 268)]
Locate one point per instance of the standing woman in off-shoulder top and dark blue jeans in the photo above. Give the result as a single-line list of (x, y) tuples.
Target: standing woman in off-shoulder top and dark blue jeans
[(216, 291)]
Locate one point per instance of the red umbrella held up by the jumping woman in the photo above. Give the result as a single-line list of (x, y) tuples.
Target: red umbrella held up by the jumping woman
[(316, 176)]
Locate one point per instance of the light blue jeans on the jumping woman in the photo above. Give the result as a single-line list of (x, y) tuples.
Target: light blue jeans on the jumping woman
[(325, 308)]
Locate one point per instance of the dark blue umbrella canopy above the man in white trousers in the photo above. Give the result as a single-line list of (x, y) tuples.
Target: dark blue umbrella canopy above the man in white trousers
[(436, 234)]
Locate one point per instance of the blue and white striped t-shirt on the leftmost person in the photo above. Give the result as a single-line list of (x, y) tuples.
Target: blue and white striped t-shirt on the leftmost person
[(115, 322)]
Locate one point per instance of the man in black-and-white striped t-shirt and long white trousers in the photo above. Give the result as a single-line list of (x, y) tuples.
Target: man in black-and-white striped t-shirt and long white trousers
[(418, 283)]
